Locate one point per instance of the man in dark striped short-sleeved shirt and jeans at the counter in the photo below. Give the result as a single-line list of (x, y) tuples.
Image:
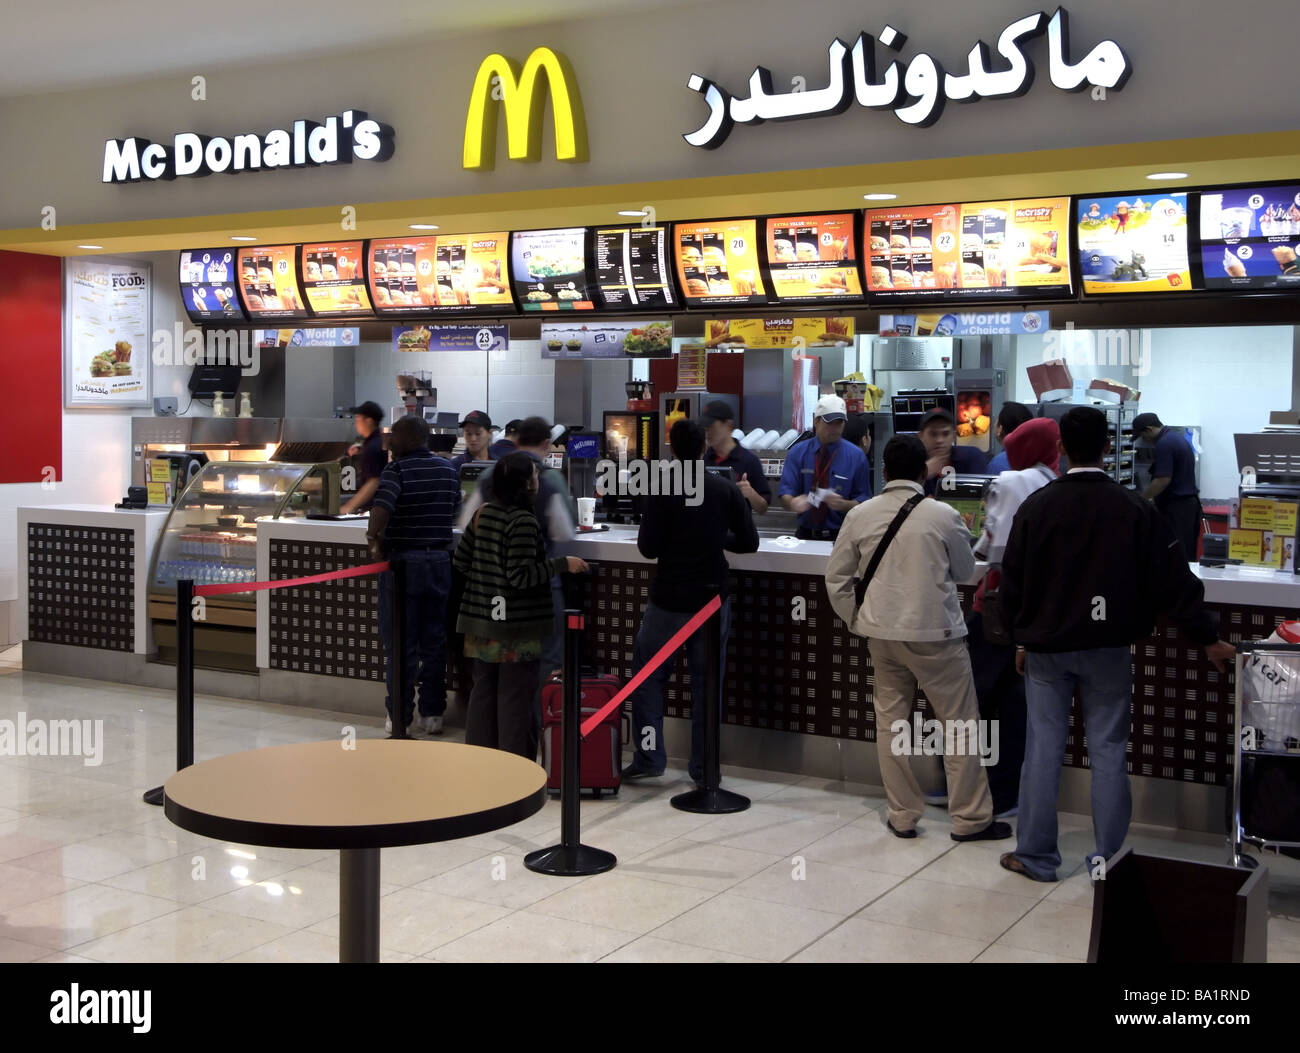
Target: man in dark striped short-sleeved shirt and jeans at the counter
[(411, 522)]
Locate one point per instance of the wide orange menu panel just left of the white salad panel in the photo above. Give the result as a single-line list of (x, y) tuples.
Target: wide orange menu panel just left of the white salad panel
[(449, 274)]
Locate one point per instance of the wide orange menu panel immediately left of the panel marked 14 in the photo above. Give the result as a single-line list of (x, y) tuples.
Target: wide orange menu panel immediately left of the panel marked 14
[(976, 252)]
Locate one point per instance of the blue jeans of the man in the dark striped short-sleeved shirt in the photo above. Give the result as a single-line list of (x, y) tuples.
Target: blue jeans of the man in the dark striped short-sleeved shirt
[(428, 584)]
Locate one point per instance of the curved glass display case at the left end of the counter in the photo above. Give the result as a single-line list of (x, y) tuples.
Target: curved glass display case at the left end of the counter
[(211, 535)]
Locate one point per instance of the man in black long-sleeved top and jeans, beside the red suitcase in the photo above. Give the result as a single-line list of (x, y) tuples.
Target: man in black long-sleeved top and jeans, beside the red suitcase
[(688, 535)]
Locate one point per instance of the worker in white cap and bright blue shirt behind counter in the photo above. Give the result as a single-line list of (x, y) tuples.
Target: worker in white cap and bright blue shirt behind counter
[(825, 476)]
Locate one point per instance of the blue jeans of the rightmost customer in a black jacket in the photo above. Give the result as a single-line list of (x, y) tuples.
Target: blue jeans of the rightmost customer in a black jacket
[(1104, 679)]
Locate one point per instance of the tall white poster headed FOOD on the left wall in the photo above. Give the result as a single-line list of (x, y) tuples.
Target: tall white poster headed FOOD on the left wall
[(107, 327)]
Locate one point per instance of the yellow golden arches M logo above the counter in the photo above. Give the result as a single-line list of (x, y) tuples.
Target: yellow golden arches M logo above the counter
[(522, 96)]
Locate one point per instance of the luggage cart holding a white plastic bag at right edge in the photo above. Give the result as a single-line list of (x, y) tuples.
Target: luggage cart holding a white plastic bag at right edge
[(1267, 752)]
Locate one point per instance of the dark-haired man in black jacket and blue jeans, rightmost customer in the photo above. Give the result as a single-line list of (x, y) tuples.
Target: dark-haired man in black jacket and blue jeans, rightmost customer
[(1089, 567)]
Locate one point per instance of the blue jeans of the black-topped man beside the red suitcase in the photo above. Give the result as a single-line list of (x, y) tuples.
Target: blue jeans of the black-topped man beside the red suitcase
[(657, 629)]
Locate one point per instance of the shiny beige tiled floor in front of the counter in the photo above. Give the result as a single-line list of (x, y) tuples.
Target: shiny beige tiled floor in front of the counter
[(809, 874)]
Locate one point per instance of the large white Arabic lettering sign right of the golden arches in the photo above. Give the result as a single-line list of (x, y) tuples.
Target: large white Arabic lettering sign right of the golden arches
[(916, 90)]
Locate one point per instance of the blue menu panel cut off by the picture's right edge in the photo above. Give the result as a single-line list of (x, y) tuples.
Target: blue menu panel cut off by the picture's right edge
[(1251, 239)]
